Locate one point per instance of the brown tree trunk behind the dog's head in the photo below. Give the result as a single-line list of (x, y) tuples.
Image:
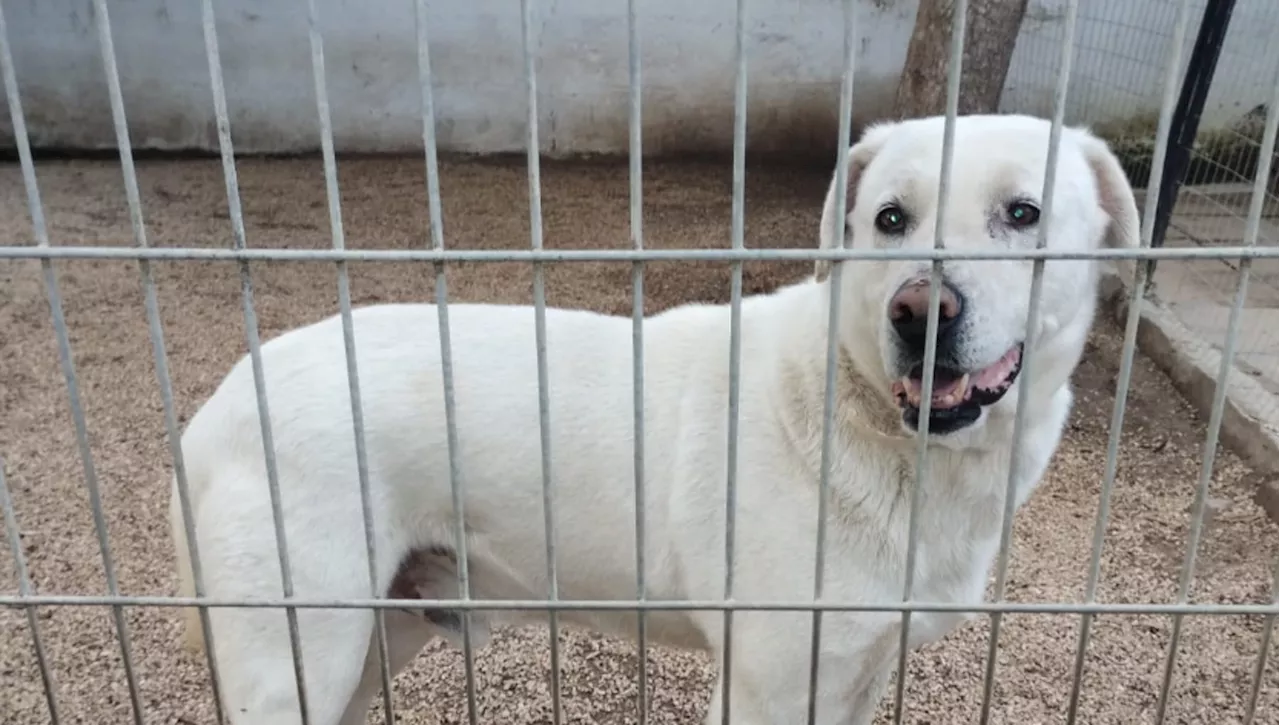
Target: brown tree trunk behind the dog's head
[(990, 37)]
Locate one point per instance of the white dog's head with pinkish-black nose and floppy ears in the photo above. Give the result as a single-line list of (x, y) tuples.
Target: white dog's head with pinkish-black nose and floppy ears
[(994, 204)]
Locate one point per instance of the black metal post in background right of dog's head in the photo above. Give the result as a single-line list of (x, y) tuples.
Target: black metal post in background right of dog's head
[(1187, 115)]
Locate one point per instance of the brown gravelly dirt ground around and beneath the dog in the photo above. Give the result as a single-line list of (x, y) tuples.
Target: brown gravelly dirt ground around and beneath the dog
[(486, 207)]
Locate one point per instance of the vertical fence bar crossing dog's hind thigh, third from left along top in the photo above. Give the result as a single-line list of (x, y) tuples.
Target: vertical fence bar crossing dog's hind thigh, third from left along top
[(255, 345)]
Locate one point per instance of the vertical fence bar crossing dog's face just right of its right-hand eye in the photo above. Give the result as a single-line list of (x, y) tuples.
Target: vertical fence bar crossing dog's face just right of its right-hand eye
[(1048, 197)]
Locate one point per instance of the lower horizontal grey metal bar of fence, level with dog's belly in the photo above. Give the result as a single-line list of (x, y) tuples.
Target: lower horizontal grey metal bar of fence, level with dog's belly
[(648, 605)]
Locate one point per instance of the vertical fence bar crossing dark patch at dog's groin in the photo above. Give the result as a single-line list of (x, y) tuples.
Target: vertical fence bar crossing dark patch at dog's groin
[(442, 308)]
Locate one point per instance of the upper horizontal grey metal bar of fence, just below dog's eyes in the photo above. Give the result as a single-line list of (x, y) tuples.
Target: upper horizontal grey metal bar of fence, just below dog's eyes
[(632, 256)]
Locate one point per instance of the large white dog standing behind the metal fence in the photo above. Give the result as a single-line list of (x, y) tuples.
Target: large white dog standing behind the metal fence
[(893, 197)]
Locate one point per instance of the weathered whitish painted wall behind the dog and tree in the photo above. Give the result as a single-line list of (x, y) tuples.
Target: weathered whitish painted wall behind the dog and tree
[(688, 53)]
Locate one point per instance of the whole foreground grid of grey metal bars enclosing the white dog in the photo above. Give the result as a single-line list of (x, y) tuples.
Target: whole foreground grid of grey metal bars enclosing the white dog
[(1249, 250)]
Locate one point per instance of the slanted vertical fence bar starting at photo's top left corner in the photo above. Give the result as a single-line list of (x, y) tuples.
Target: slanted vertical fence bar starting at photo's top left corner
[(65, 354)]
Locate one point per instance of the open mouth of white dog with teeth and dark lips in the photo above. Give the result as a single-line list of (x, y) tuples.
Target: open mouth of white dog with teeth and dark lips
[(958, 396)]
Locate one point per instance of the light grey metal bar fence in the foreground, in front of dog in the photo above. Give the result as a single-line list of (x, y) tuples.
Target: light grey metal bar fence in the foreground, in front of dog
[(1245, 254)]
